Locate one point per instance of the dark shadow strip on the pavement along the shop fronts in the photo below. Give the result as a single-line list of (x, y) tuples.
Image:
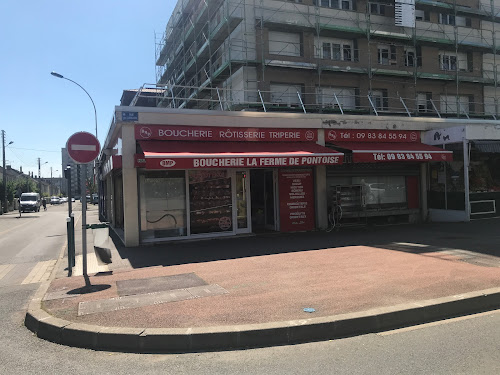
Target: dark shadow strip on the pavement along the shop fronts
[(478, 236)]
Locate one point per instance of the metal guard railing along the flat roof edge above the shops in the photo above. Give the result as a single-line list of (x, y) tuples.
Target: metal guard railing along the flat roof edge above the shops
[(317, 100)]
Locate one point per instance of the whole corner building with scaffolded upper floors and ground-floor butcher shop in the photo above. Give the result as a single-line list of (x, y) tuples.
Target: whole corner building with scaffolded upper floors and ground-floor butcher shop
[(307, 115)]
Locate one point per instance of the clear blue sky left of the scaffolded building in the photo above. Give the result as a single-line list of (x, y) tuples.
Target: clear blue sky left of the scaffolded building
[(106, 46)]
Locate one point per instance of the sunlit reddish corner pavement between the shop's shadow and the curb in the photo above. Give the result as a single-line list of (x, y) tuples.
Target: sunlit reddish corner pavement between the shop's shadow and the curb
[(278, 287)]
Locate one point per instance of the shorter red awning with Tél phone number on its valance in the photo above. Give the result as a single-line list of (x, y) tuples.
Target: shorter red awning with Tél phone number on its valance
[(376, 152)]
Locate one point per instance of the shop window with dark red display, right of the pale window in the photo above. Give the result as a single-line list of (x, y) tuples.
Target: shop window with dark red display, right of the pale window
[(210, 201)]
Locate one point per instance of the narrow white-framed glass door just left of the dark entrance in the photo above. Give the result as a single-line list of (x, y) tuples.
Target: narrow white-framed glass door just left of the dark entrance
[(241, 196)]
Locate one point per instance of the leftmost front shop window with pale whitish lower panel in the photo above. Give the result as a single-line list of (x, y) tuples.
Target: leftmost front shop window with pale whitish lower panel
[(163, 204)]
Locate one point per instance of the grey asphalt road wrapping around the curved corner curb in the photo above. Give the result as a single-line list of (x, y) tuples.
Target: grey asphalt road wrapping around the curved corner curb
[(468, 345)]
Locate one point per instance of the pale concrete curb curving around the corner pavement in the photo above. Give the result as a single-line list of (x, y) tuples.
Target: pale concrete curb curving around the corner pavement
[(170, 340)]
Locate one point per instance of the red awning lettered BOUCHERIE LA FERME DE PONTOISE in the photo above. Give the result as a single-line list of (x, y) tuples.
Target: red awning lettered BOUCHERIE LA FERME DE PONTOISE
[(193, 155)]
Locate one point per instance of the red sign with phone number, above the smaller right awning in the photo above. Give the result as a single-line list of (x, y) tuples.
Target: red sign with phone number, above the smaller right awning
[(353, 135)]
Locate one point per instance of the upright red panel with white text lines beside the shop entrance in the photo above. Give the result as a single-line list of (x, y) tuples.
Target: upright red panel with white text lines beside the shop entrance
[(296, 189)]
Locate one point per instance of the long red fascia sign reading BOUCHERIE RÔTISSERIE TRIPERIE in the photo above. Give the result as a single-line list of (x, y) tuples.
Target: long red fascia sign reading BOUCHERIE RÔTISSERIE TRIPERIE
[(232, 134)]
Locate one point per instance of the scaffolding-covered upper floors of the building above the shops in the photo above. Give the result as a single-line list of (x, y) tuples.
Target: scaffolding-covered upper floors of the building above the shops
[(233, 55)]
